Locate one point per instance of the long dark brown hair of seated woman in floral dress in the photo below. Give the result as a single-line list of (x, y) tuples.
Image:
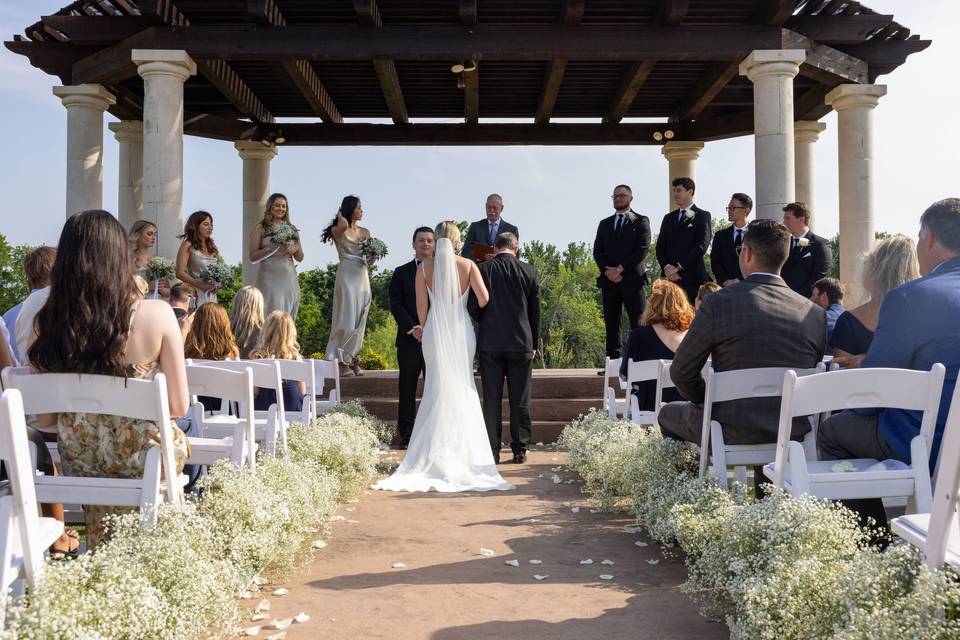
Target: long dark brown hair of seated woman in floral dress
[(83, 326)]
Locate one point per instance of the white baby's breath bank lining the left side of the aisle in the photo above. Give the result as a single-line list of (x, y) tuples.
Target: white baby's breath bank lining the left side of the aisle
[(180, 579)]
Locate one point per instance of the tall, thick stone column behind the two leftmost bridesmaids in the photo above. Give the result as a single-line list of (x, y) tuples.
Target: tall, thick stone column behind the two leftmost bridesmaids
[(163, 73)]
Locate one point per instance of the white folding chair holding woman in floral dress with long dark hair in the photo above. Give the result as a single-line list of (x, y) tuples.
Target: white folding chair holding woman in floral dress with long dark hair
[(144, 400)]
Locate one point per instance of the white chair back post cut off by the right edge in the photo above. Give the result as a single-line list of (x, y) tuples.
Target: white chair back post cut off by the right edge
[(946, 490)]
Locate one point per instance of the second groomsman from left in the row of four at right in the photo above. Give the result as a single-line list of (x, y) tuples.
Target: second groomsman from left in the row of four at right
[(683, 241)]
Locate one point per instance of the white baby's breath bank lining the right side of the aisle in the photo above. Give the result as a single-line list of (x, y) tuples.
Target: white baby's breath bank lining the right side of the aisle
[(776, 567)]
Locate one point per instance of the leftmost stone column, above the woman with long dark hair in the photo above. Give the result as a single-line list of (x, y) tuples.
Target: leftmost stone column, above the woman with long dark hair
[(85, 104)]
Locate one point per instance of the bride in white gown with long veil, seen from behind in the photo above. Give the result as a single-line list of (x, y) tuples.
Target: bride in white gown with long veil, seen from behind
[(449, 450)]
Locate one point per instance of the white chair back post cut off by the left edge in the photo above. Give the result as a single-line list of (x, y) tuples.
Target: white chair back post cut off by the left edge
[(16, 457)]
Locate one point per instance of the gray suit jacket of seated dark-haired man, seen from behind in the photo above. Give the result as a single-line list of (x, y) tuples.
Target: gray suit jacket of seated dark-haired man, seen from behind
[(758, 322)]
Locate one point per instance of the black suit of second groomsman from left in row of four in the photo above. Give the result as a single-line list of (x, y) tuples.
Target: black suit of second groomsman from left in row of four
[(684, 243)]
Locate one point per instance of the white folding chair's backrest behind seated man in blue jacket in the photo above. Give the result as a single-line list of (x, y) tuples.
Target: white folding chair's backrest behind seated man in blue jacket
[(858, 389)]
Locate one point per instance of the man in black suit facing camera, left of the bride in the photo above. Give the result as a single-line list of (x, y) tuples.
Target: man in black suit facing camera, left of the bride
[(403, 306)]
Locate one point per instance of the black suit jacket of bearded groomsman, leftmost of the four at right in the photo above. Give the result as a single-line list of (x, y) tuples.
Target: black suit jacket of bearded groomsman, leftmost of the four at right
[(628, 248)]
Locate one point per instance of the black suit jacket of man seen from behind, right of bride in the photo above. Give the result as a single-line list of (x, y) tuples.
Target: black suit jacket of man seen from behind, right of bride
[(511, 319)]
